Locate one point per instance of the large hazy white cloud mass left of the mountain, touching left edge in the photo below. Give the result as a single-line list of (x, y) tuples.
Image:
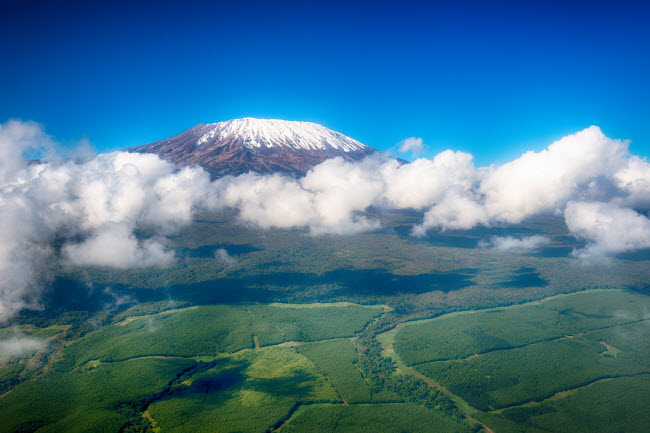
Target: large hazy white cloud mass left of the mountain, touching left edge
[(93, 209)]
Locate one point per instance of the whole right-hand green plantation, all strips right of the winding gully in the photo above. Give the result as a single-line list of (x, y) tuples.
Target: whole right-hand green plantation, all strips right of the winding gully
[(560, 352)]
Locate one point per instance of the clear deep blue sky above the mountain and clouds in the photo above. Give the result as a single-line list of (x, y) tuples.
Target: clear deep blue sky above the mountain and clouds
[(491, 78)]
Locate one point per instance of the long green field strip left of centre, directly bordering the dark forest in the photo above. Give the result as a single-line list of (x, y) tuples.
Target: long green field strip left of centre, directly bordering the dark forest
[(208, 330)]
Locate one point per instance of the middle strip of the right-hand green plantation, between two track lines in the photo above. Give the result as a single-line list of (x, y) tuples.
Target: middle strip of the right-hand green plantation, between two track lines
[(510, 377)]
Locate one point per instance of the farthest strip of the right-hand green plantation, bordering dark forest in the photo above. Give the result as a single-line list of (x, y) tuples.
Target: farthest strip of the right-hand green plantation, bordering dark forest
[(464, 334)]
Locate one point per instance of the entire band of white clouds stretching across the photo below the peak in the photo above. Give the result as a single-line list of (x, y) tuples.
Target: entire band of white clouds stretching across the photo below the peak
[(117, 209)]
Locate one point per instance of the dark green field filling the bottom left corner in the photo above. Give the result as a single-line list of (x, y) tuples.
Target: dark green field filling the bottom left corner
[(86, 400)]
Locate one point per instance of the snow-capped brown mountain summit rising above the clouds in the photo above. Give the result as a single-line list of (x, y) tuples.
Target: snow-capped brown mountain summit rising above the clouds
[(261, 145)]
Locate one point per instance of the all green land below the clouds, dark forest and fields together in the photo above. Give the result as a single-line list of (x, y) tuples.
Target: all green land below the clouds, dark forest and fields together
[(207, 345)]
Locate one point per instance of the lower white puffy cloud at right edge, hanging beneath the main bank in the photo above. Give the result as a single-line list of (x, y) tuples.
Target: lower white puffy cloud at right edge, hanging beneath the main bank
[(608, 228)]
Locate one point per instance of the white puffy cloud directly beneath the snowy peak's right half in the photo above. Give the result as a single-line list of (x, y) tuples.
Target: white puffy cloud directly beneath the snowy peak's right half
[(327, 200)]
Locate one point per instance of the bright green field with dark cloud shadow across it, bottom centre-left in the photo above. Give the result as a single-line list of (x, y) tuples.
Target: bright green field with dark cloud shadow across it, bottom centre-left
[(247, 392)]
